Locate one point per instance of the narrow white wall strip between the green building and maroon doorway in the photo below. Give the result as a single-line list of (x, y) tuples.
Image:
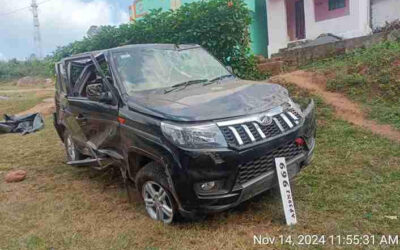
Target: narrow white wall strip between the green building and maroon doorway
[(277, 26)]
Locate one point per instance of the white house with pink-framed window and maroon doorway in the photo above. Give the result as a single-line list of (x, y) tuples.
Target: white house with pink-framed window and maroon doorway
[(296, 20)]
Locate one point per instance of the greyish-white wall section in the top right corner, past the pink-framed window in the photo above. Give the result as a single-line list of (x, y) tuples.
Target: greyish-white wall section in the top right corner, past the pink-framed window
[(384, 10)]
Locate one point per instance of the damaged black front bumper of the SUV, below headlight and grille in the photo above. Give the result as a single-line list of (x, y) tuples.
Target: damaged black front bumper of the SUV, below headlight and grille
[(224, 166)]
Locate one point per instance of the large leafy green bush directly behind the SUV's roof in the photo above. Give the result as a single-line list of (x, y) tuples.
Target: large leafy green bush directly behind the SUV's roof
[(220, 26)]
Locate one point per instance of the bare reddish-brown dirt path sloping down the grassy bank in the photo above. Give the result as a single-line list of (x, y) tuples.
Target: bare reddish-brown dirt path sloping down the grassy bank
[(344, 107)]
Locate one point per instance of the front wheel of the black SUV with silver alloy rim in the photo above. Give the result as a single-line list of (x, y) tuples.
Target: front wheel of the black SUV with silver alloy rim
[(153, 187)]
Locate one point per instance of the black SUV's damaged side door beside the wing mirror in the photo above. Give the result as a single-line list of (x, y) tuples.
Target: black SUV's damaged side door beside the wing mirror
[(92, 123)]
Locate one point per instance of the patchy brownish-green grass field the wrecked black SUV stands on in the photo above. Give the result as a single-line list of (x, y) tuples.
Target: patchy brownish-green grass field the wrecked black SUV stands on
[(351, 186)]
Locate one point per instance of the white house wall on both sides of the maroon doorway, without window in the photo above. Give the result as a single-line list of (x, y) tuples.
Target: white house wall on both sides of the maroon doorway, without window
[(353, 25)]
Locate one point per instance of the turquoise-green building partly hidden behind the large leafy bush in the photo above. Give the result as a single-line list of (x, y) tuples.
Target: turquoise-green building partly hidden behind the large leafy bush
[(258, 28)]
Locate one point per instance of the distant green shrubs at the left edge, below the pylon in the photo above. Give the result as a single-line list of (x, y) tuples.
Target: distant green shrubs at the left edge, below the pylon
[(13, 69)]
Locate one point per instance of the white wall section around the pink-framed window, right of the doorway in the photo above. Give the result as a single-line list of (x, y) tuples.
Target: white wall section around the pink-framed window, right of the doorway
[(353, 25)]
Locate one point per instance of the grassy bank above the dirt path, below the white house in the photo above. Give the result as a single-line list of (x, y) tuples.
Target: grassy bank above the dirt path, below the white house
[(369, 76)]
